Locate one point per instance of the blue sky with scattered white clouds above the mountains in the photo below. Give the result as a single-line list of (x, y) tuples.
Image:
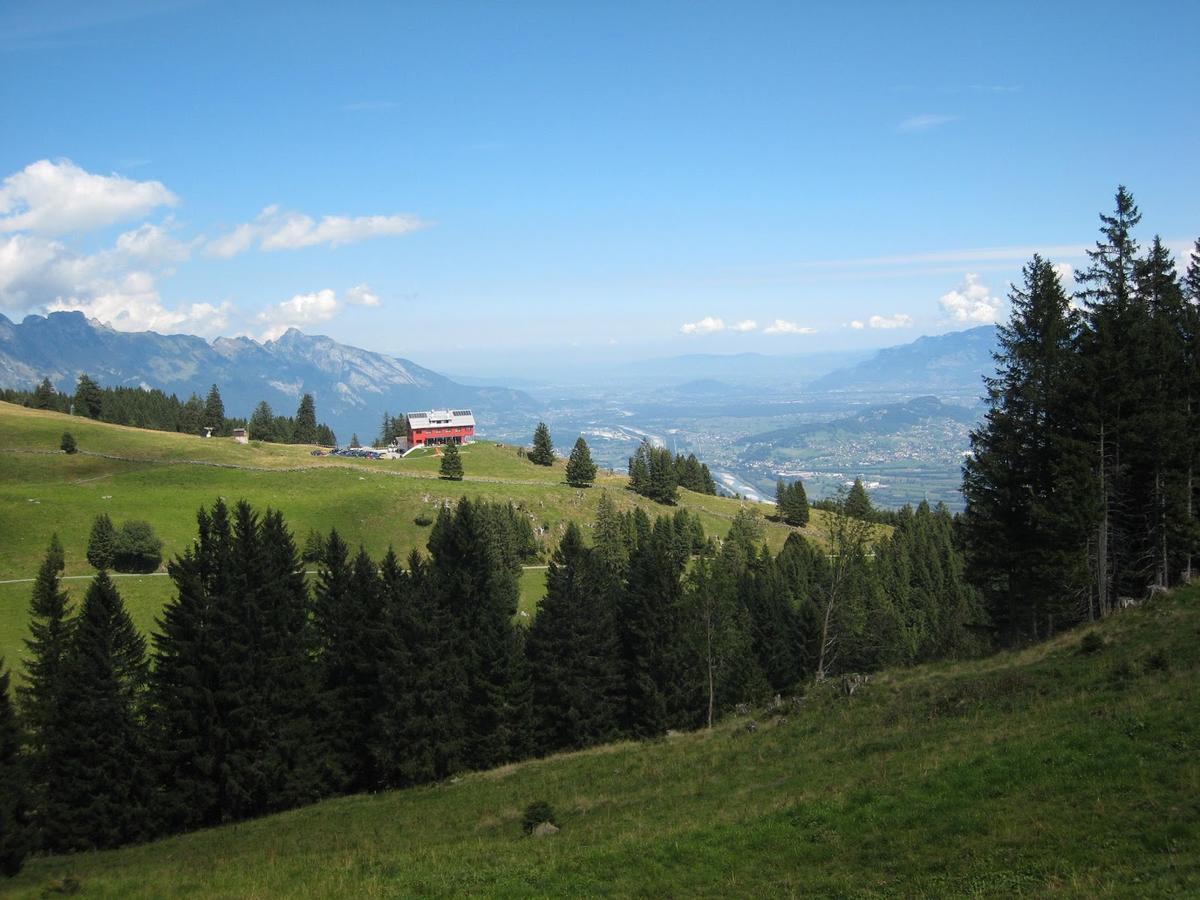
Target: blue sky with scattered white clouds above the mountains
[(589, 181)]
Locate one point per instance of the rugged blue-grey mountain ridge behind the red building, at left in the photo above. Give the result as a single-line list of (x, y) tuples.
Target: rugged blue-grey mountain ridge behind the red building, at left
[(352, 387)]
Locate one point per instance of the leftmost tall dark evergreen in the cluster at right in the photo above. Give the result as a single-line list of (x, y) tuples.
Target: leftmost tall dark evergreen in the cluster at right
[(1029, 485)]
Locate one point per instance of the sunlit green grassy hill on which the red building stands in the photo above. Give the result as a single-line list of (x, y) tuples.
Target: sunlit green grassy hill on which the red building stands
[(131, 473)]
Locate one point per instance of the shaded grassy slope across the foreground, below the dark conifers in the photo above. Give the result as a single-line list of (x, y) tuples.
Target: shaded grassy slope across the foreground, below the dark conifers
[(1052, 771)]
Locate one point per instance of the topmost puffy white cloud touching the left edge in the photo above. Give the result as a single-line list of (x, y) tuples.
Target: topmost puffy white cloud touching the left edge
[(59, 197)]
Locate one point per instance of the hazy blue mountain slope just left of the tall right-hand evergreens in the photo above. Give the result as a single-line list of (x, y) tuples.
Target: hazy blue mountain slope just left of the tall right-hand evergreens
[(952, 364)]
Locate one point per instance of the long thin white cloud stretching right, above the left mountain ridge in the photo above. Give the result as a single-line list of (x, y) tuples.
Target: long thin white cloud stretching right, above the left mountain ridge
[(280, 230)]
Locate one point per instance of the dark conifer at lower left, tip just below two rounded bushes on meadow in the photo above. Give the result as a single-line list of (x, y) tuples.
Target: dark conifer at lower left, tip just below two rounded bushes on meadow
[(99, 795)]
